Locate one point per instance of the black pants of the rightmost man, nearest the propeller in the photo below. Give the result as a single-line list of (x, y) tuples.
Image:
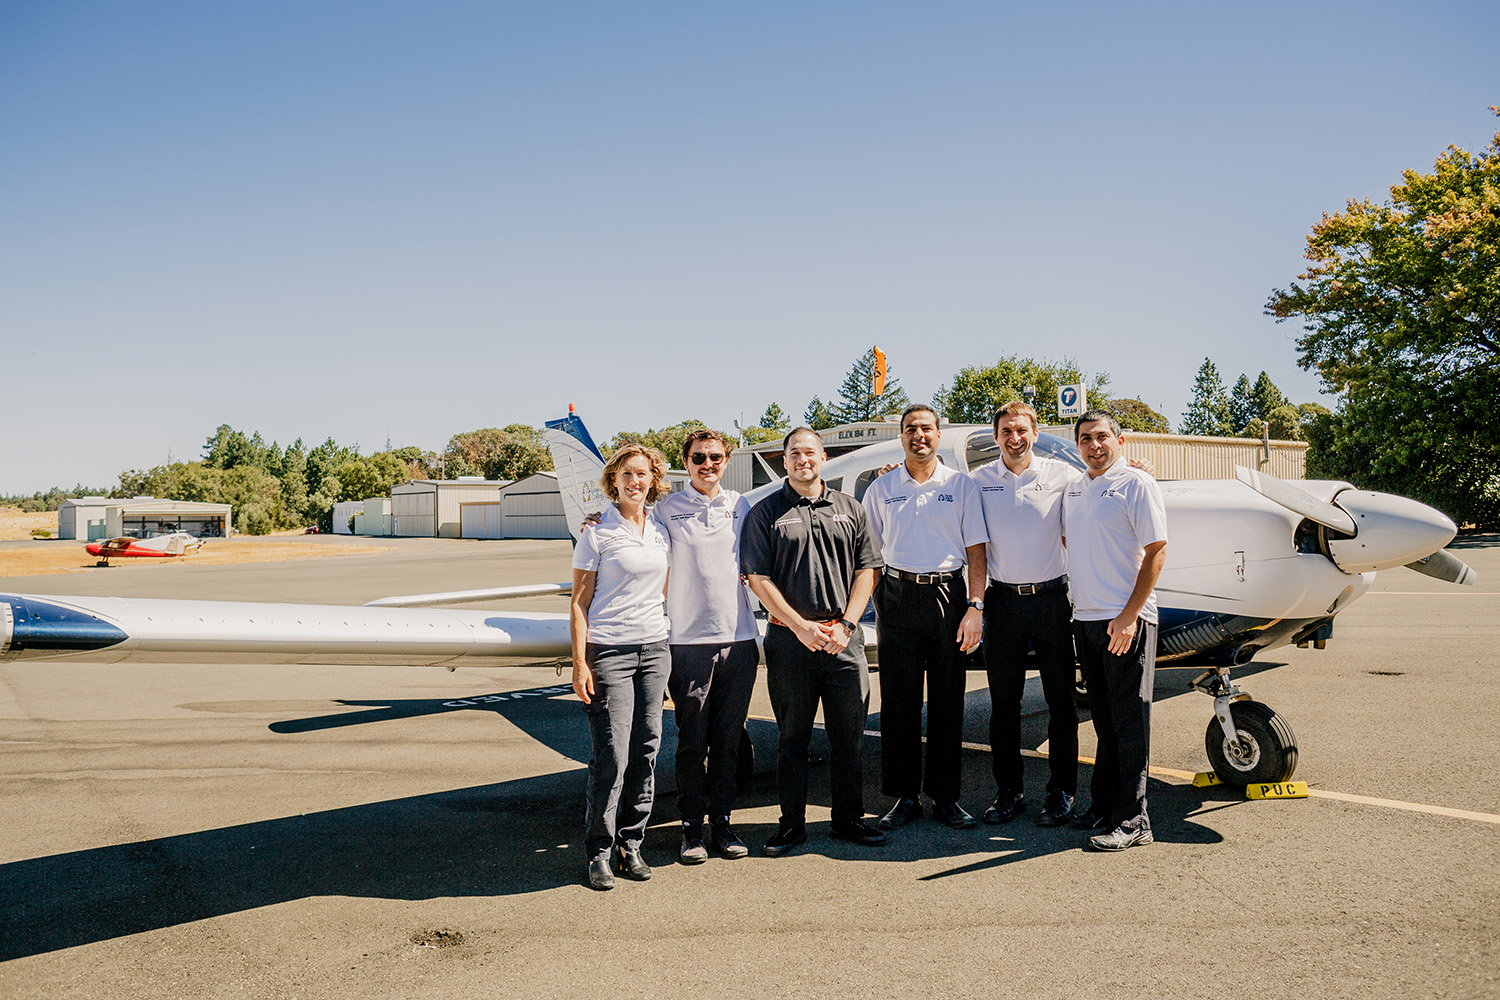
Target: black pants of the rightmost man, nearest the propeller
[(1120, 701)]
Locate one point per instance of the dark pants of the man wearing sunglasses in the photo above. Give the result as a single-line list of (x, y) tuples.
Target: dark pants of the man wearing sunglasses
[(710, 687)]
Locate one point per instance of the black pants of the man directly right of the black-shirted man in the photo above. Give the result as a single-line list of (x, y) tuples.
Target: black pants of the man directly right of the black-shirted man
[(919, 627)]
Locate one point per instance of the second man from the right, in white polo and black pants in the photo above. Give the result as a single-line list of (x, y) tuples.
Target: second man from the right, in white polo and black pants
[(1027, 608)]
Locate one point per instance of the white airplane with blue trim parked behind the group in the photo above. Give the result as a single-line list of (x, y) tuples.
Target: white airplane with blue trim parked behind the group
[(1253, 564)]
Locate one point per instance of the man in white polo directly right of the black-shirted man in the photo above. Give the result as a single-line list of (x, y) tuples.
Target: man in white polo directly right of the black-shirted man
[(929, 525)]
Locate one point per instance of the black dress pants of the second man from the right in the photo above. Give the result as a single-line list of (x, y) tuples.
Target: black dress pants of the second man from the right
[(1045, 623)]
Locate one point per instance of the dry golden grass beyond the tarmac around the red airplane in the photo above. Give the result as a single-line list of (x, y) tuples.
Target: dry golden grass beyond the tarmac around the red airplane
[(67, 557)]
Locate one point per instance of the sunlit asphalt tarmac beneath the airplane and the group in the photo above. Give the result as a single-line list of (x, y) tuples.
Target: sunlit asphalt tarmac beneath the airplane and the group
[(227, 830)]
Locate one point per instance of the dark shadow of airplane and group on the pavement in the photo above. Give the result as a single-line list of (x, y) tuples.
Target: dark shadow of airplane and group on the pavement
[(505, 839)]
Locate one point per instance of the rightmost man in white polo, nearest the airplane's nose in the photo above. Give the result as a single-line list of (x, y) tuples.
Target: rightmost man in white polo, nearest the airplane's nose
[(1115, 525)]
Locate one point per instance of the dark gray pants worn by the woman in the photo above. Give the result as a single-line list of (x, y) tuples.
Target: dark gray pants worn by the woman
[(625, 719)]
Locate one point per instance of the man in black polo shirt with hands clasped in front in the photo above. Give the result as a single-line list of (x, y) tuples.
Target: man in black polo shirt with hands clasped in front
[(812, 561)]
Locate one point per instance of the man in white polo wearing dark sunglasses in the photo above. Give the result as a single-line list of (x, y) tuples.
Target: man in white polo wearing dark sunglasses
[(713, 644)]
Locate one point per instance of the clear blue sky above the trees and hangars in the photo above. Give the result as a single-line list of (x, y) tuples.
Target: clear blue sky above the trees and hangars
[(394, 220)]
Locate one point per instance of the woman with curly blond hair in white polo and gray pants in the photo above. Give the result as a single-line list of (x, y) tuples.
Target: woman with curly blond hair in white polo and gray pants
[(622, 662)]
